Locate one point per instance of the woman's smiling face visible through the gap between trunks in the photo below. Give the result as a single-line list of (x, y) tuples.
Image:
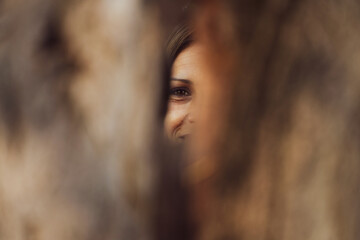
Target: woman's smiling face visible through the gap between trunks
[(187, 83)]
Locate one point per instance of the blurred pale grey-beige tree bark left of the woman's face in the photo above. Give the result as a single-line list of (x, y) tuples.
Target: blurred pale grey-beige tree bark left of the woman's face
[(78, 79)]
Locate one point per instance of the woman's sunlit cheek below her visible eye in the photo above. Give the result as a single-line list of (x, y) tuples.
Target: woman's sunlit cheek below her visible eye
[(174, 117)]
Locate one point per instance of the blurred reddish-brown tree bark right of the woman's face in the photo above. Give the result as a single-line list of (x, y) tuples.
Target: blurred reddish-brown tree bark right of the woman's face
[(284, 163)]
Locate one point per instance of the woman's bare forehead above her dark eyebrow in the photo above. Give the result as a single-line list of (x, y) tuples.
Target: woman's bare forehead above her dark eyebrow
[(190, 63)]
